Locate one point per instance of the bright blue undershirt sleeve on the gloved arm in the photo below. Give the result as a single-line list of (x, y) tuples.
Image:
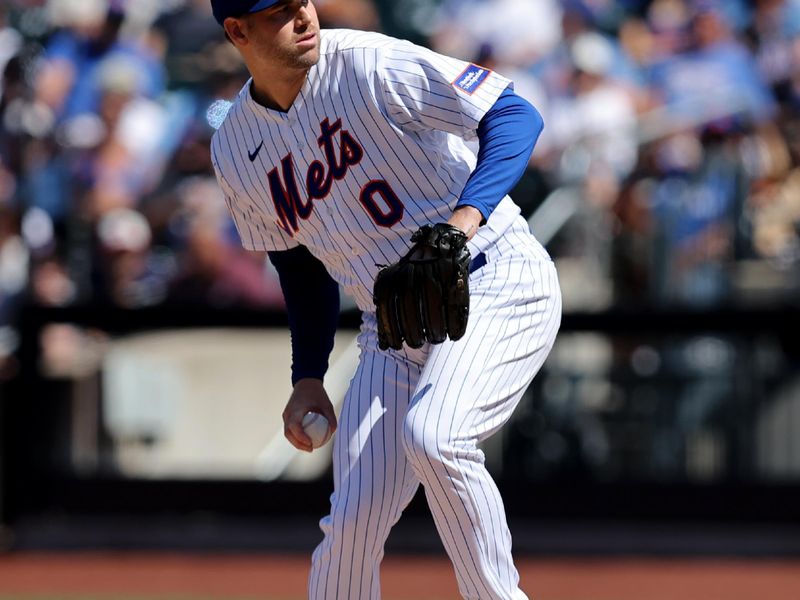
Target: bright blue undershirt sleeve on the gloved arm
[(507, 134)]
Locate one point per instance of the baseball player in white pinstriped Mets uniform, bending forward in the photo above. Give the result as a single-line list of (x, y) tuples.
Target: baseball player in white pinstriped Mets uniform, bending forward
[(345, 157)]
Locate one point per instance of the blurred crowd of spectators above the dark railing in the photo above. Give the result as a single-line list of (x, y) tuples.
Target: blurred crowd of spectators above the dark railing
[(667, 175)]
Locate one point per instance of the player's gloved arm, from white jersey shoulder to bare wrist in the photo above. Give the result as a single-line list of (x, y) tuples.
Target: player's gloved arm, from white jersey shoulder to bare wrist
[(422, 90)]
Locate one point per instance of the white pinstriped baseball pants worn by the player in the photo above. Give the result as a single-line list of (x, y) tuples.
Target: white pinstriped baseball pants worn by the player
[(417, 416)]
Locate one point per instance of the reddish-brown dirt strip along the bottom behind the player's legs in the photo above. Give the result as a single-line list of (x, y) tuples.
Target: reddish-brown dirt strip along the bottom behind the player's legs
[(274, 577)]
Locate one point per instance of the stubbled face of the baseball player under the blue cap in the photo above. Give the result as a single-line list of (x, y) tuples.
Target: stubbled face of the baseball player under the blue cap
[(286, 35)]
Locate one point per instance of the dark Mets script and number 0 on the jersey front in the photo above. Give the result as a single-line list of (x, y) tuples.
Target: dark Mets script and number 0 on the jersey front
[(289, 204)]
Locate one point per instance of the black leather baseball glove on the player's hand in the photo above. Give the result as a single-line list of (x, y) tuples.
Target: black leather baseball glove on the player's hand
[(424, 297)]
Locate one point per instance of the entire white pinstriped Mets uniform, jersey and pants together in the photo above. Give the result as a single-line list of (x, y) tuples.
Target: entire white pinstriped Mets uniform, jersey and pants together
[(372, 148)]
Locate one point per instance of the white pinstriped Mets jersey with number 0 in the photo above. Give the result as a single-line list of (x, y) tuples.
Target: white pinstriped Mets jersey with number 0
[(372, 148)]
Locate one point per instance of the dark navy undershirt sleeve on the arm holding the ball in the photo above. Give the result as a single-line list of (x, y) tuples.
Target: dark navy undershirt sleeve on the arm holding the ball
[(312, 303)]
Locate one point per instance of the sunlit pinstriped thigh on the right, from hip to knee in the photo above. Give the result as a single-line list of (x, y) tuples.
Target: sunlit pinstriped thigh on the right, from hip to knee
[(469, 388)]
